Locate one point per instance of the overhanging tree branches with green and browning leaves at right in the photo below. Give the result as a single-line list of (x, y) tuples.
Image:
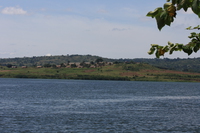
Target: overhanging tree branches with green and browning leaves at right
[(165, 16)]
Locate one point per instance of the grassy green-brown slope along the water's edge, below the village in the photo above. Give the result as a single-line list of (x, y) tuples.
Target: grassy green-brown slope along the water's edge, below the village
[(120, 71)]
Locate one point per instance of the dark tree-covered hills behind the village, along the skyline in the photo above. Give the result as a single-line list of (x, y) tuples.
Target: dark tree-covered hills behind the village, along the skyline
[(186, 65)]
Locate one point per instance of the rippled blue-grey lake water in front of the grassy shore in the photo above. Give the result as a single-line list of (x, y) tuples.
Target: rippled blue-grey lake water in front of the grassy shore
[(80, 106)]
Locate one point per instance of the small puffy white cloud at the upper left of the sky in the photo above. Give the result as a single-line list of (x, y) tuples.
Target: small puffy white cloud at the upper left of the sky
[(13, 11)]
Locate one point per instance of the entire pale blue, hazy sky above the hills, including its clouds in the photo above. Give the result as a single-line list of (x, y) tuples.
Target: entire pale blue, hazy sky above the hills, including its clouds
[(107, 28)]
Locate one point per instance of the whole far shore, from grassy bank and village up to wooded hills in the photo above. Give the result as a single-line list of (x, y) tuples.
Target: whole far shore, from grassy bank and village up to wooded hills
[(97, 68)]
